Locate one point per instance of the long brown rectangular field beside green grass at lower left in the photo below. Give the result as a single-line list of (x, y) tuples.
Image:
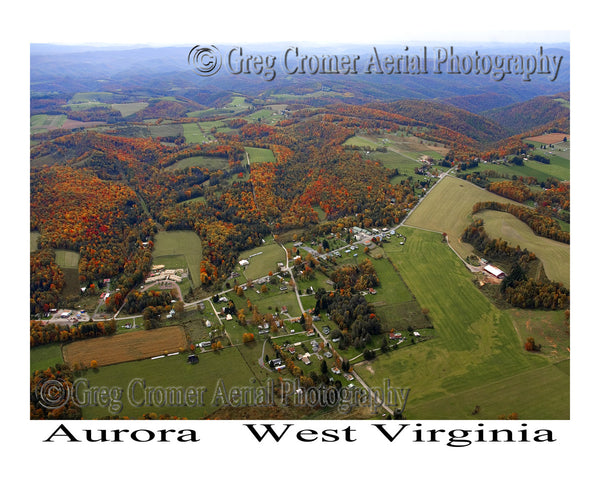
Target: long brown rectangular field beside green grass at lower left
[(125, 348)]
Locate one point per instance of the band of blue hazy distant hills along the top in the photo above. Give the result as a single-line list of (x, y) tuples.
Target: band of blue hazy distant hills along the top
[(66, 69)]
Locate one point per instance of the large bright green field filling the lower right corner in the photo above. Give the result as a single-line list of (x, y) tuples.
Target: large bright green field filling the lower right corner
[(475, 348)]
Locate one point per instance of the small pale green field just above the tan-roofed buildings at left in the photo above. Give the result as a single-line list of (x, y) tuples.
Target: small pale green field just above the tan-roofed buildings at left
[(179, 243)]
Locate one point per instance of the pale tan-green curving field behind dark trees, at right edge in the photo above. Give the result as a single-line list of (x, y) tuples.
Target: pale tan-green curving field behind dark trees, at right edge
[(554, 255)]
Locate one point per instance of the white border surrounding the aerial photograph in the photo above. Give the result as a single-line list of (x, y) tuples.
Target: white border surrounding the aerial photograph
[(158, 23)]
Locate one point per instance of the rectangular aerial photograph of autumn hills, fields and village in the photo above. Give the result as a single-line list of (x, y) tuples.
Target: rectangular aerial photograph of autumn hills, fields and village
[(276, 231)]
